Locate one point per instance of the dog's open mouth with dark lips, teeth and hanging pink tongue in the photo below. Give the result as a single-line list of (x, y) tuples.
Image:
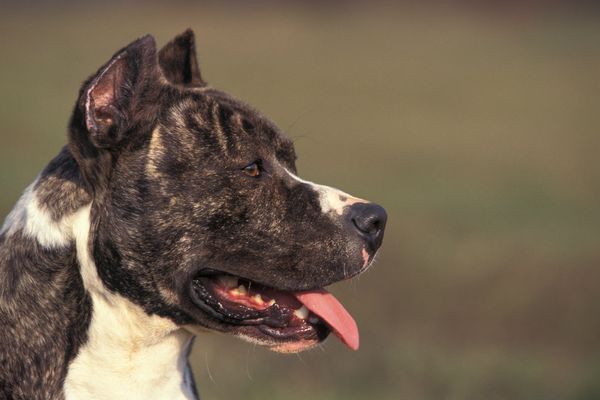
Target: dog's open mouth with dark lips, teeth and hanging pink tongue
[(289, 320)]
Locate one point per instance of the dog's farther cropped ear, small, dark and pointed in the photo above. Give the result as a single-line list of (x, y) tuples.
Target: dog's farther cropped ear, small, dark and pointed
[(178, 61)]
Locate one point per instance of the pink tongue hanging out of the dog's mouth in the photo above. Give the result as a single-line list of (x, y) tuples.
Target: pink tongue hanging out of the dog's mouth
[(328, 308)]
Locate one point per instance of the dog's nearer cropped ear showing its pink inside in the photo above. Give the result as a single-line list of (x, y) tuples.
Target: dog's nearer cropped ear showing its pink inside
[(111, 99)]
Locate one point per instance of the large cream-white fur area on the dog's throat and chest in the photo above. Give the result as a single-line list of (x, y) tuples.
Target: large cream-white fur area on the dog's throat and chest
[(129, 354)]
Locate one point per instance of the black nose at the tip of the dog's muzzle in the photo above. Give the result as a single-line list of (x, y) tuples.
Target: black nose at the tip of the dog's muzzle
[(369, 220)]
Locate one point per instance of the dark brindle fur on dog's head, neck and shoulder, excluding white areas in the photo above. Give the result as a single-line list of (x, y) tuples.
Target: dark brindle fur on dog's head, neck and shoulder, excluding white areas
[(159, 155)]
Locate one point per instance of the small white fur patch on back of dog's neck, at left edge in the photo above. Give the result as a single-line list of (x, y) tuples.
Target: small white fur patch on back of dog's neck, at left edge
[(29, 215)]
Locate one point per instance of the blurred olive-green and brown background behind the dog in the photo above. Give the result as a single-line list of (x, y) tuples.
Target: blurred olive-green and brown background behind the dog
[(477, 129)]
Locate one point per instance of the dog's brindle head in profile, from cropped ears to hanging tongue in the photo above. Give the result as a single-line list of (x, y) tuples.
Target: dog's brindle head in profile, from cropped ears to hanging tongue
[(197, 212)]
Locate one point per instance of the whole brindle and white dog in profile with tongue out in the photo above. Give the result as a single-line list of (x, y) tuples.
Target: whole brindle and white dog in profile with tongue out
[(173, 209)]
